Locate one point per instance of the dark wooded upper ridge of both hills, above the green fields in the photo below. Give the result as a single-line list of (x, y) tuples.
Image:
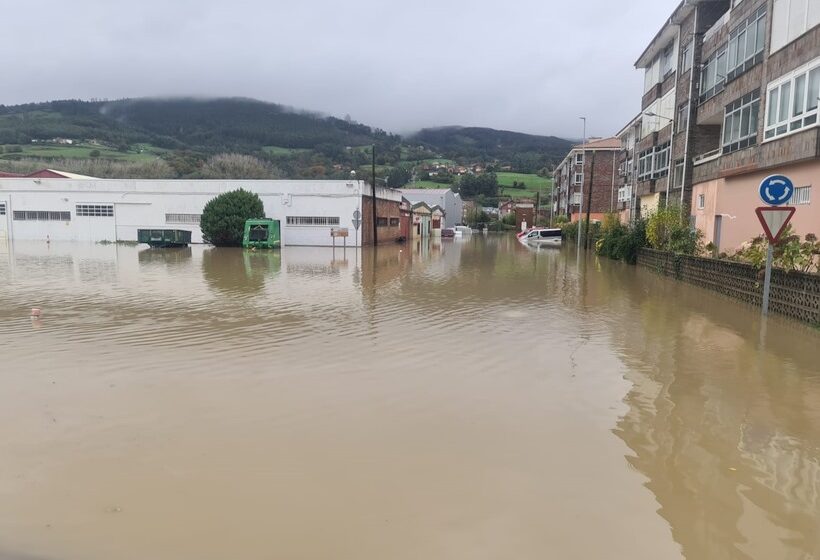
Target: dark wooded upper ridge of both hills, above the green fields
[(247, 126)]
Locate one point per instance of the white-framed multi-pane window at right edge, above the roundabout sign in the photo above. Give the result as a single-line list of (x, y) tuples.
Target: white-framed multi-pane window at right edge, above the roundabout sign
[(792, 101)]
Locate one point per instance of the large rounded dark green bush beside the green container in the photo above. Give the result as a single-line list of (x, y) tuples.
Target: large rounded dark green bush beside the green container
[(223, 219)]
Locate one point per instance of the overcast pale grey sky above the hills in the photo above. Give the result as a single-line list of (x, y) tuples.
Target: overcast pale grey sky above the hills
[(526, 65)]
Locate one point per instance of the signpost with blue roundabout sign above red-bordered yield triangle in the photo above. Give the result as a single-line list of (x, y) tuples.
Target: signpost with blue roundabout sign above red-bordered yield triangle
[(775, 191)]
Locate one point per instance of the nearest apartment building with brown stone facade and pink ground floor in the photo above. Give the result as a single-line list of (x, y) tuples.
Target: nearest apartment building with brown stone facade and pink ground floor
[(731, 96)]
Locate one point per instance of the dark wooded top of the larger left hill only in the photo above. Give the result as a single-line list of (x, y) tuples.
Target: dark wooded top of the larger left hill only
[(210, 125)]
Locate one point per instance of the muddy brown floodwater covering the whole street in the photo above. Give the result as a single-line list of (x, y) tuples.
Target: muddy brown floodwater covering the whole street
[(467, 400)]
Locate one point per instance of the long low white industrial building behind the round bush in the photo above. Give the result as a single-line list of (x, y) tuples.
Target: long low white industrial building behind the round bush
[(114, 209)]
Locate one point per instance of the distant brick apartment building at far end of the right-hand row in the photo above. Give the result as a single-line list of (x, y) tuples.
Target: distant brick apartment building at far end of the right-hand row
[(588, 173)]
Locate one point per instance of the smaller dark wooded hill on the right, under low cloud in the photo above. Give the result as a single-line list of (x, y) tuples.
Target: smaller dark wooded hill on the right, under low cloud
[(486, 144)]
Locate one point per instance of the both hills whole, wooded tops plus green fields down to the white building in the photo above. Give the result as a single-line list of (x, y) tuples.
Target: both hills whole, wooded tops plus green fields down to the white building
[(299, 143)]
